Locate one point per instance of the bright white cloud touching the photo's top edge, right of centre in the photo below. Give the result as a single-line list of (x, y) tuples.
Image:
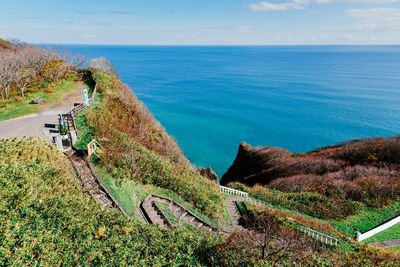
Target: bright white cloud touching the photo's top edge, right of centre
[(301, 4)]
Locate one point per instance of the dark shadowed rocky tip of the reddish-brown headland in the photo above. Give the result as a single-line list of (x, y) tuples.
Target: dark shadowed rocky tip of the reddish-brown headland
[(251, 161)]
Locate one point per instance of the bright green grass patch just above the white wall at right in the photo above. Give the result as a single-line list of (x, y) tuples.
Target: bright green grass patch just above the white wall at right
[(367, 219)]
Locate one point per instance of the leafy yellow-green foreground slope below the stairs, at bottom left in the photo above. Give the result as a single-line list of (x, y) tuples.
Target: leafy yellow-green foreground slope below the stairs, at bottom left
[(45, 219)]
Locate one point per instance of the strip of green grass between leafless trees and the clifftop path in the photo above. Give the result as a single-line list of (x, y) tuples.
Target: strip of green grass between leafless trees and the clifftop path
[(11, 109)]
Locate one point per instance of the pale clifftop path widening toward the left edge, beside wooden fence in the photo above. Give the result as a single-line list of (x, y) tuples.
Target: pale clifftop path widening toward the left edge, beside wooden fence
[(33, 124)]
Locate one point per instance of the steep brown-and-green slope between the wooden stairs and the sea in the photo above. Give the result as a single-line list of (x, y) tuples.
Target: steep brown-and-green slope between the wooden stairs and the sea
[(137, 148)]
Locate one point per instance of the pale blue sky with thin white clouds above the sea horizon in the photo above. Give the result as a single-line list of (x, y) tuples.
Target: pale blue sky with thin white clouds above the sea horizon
[(202, 22)]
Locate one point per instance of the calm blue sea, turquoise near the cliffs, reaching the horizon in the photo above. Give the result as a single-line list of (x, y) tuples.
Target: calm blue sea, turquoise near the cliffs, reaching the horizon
[(296, 97)]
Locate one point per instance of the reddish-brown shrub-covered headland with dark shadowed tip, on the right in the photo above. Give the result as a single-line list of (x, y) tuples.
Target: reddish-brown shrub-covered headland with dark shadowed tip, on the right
[(359, 171)]
